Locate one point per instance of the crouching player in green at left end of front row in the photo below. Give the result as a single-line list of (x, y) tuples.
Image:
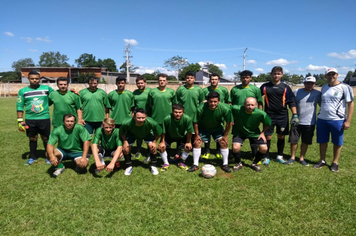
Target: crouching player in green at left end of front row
[(73, 144)]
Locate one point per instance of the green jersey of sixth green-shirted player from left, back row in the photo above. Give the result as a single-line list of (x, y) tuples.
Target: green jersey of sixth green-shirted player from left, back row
[(190, 98)]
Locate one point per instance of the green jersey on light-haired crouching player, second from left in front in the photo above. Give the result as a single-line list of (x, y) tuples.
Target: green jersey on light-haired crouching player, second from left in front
[(108, 142)]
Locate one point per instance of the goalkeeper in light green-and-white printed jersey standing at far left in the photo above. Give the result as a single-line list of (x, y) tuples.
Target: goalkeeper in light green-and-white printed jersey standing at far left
[(34, 98)]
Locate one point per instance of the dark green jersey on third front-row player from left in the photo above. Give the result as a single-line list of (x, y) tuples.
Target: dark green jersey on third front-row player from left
[(149, 127)]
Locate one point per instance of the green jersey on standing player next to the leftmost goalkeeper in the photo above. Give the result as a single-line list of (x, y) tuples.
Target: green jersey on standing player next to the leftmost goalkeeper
[(67, 103)]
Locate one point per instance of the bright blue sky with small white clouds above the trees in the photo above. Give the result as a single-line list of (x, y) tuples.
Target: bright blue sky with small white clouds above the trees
[(301, 36)]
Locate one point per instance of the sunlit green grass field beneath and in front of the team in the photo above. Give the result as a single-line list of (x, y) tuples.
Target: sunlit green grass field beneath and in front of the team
[(282, 200)]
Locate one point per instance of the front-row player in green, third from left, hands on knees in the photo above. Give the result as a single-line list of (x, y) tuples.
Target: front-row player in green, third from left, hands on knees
[(140, 127)]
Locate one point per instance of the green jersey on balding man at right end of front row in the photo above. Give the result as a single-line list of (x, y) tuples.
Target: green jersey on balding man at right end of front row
[(247, 125)]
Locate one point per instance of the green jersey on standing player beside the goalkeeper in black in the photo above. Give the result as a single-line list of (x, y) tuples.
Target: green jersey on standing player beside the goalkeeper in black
[(238, 94)]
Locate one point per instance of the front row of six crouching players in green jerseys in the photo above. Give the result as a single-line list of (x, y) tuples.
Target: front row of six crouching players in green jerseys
[(189, 134)]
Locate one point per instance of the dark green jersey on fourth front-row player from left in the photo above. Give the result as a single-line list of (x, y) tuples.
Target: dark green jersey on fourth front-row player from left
[(177, 129)]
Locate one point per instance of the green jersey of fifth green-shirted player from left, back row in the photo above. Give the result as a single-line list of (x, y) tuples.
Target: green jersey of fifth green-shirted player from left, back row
[(161, 103)]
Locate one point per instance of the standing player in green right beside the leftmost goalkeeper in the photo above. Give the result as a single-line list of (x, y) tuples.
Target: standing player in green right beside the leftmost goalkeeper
[(64, 102)]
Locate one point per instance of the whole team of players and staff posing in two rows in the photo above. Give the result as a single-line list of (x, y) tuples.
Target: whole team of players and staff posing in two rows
[(188, 116)]
